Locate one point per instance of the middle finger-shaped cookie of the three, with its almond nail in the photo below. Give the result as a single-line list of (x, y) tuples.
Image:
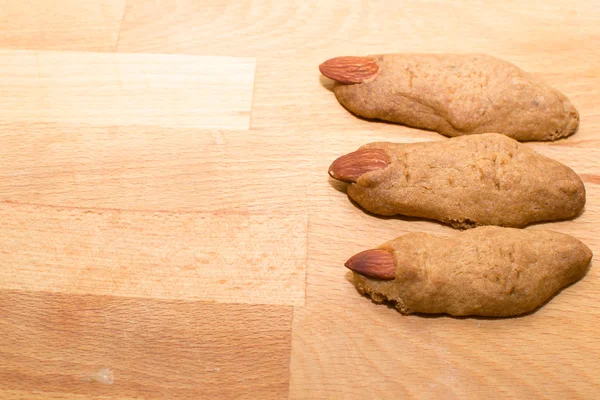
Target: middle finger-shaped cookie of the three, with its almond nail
[(486, 179)]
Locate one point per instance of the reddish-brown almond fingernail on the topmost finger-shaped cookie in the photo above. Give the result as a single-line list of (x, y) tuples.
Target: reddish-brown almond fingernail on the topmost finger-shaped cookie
[(349, 69)]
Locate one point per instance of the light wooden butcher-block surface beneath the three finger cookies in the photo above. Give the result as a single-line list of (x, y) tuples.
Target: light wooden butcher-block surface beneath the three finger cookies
[(166, 212)]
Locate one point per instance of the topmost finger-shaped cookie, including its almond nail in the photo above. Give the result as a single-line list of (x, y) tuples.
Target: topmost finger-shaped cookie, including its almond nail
[(453, 94)]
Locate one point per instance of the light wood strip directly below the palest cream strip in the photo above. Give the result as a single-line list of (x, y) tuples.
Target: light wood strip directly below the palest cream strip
[(153, 169)]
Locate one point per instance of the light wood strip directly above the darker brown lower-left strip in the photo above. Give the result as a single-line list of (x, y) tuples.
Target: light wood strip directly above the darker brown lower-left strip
[(170, 255)]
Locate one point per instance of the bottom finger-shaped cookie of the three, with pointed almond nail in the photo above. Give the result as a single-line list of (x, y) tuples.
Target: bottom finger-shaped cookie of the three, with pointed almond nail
[(487, 271)]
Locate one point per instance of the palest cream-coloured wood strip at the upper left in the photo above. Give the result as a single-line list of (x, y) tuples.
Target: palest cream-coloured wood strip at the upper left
[(126, 89)]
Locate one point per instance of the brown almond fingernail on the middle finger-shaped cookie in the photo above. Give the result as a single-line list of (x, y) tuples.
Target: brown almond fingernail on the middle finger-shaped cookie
[(350, 167)]
